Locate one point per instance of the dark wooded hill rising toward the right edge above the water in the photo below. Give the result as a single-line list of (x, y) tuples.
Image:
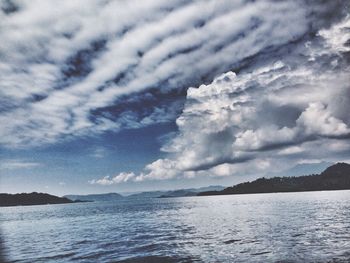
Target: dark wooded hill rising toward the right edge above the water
[(335, 177)]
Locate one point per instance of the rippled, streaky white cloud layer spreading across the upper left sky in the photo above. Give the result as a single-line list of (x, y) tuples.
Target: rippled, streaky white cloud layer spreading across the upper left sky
[(65, 71)]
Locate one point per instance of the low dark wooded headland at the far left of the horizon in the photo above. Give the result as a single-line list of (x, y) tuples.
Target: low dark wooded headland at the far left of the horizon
[(31, 199)]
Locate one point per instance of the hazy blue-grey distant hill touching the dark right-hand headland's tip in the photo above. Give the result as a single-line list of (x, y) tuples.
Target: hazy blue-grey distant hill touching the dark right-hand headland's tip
[(176, 193)]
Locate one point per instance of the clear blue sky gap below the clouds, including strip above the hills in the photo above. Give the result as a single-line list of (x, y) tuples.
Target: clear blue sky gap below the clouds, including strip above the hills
[(67, 167)]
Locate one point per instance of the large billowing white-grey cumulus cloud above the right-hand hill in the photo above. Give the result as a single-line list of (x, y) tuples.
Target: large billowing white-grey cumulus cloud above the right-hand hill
[(285, 111)]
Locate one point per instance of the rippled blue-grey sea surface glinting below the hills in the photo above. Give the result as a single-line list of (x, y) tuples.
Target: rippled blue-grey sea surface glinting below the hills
[(279, 227)]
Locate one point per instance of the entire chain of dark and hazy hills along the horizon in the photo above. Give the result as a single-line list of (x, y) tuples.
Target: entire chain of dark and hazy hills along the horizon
[(334, 177)]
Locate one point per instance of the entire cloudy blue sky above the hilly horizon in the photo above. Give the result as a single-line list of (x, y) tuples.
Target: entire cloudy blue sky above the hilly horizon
[(127, 96)]
